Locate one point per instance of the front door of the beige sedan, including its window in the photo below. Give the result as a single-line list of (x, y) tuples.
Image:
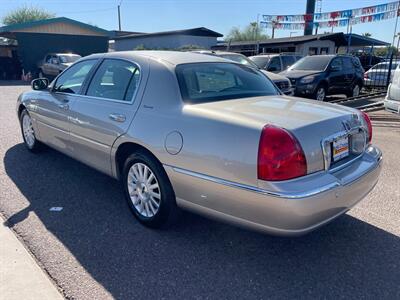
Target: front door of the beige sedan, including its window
[(53, 106)]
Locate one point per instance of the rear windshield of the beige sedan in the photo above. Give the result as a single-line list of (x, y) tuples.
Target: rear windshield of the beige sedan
[(208, 82)]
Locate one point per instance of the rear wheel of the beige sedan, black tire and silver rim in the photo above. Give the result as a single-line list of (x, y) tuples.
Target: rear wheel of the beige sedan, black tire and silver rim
[(150, 210)]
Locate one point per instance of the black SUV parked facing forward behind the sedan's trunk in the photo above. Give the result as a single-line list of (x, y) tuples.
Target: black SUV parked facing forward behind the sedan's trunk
[(320, 75)]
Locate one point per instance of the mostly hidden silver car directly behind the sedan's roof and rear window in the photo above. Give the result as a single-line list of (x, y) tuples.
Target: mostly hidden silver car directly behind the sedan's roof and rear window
[(282, 82)]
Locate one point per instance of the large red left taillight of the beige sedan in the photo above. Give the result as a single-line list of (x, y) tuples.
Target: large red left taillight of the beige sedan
[(280, 155)]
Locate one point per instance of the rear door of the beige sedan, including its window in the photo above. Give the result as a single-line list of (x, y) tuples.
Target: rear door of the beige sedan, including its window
[(106, 110)]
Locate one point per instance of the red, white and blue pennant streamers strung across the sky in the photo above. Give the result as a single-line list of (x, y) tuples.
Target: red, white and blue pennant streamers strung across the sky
[(333, 19)]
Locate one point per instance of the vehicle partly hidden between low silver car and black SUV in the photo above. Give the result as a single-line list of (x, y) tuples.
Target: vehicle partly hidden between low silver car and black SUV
[(275, 62)]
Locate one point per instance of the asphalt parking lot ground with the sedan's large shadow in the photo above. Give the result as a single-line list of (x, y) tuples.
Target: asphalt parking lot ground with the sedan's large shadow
[(94, 249)]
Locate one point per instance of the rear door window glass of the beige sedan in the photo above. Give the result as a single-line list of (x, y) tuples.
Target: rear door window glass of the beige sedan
[(115, 79)]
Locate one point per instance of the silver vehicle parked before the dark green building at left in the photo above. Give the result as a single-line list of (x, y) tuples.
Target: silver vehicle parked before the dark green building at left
[(54, 63)]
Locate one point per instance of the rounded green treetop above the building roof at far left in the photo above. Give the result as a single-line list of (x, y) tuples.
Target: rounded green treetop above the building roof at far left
[(26, 14)]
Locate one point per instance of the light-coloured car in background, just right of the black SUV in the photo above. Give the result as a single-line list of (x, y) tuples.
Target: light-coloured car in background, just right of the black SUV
[(377, 76)]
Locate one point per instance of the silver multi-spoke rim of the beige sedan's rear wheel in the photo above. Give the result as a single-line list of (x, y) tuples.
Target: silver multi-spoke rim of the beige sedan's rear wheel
[(144, 190)]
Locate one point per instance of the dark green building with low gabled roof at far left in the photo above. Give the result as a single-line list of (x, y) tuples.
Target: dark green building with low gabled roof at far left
[(35, 39)]
